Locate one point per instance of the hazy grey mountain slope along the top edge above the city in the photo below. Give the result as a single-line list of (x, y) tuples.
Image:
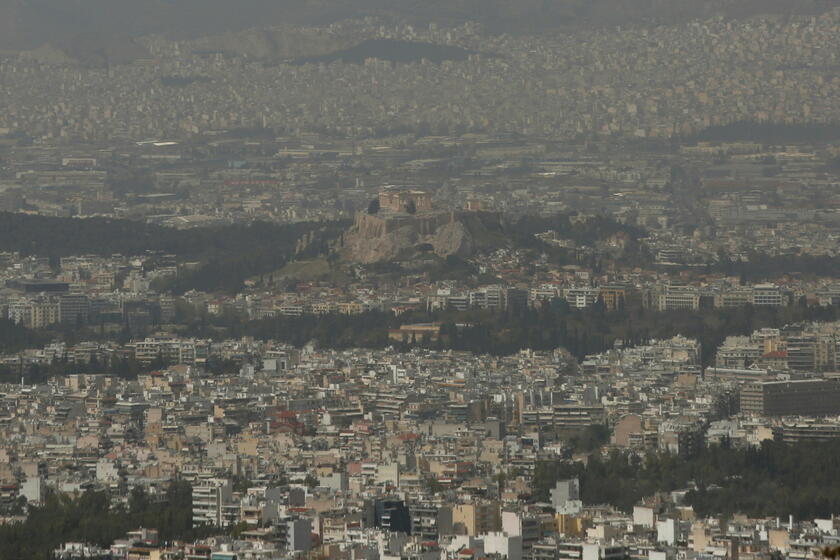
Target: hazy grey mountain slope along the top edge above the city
[(27, 24)]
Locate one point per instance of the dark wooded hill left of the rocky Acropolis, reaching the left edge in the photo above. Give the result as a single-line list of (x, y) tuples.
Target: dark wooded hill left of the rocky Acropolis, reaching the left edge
[(226, 256)]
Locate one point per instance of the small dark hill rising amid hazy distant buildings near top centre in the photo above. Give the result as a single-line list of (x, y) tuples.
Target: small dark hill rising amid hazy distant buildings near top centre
[(389, 49)]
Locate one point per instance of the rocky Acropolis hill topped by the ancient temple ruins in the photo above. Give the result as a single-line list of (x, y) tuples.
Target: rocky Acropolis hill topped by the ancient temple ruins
[(407, 221)]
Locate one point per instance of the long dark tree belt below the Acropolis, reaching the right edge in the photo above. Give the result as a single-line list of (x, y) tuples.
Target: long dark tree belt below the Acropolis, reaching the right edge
[(503, 332)]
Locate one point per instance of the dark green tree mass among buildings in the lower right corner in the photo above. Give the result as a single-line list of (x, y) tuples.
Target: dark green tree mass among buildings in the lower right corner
[(774, 479)]
